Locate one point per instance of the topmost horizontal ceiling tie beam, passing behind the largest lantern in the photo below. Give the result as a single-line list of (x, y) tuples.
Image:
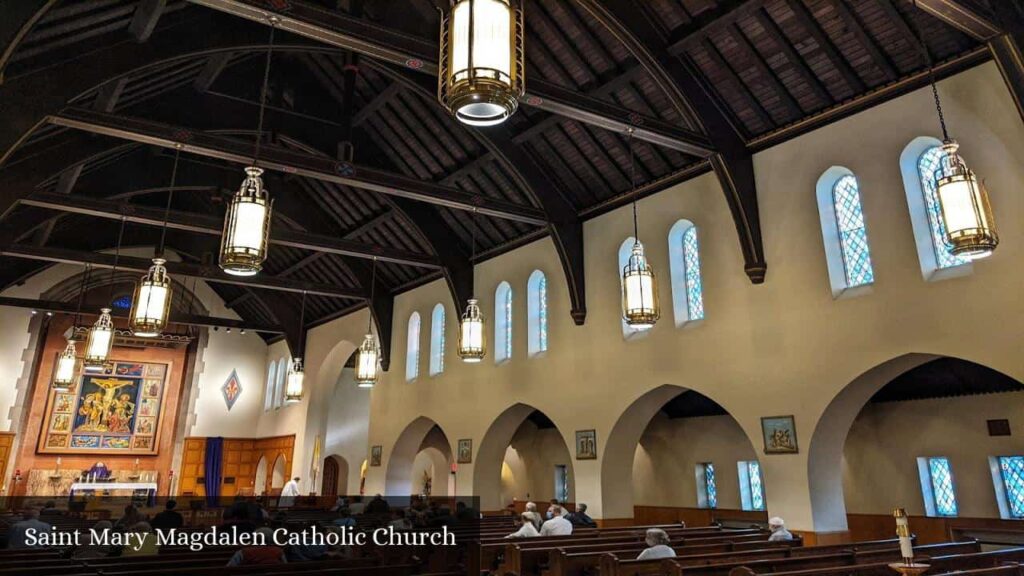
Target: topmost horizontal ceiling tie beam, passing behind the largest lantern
[(419, 55)]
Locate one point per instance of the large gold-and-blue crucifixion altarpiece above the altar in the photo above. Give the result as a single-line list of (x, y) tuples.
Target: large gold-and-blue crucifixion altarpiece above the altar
[(115, 410)]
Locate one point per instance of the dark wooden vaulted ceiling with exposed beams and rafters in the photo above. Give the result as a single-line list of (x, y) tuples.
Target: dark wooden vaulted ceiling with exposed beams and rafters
[(96, 96)]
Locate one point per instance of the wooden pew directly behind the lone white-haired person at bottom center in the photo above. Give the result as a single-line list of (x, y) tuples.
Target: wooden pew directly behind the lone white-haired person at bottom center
[(847, 560)]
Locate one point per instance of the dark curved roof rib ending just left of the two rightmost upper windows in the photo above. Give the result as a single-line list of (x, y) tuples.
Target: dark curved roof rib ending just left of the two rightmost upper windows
[(734, 164)]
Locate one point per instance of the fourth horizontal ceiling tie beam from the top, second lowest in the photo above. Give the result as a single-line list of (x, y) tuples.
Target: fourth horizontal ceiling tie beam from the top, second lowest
[(181, 270)]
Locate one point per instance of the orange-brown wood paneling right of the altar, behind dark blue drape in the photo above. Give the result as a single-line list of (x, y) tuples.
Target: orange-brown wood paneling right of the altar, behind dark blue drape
[(241, 459)]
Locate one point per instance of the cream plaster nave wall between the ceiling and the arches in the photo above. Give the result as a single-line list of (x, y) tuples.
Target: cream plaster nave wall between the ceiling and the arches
[(783, 348)]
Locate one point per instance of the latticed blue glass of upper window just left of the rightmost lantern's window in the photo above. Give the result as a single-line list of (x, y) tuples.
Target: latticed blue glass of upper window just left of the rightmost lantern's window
[(852, 234)]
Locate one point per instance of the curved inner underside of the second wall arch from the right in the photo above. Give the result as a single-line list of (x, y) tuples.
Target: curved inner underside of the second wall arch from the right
[(621, 446)]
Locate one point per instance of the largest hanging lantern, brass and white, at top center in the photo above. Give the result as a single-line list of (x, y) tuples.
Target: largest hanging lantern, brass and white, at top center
[(481, 79)]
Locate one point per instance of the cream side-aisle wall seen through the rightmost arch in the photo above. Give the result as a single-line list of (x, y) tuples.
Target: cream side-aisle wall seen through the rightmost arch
[(880, 469)]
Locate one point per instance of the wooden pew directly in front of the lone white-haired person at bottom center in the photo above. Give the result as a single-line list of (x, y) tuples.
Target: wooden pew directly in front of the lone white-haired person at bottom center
[(527, 557)]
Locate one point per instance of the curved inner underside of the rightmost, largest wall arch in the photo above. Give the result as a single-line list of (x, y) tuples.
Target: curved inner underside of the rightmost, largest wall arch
[(829, 440)]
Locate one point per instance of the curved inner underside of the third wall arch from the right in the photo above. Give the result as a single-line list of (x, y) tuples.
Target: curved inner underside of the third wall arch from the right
[(490, 458)]
